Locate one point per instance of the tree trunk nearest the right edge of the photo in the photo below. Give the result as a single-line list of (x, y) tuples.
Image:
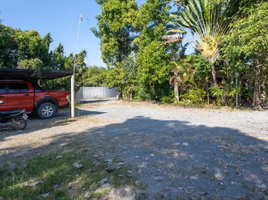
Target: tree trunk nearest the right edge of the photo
[(257, 87)]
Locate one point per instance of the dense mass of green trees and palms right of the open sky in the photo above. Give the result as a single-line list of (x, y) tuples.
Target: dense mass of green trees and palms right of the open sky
[(230, 38)]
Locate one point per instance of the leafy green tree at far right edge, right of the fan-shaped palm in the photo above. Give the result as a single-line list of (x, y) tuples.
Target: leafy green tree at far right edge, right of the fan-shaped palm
[(248, 46)]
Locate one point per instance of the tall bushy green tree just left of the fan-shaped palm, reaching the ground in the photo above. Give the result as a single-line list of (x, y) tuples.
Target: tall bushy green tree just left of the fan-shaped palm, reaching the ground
[(152, 60)]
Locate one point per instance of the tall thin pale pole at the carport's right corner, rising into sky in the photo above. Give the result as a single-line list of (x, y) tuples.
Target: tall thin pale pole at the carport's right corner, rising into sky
[(72, 78)]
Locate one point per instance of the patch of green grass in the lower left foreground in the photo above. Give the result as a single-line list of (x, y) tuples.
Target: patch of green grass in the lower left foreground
[(58, 177)]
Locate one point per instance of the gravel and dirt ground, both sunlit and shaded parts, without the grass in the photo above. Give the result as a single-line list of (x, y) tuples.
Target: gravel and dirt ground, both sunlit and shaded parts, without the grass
[(178, 153)]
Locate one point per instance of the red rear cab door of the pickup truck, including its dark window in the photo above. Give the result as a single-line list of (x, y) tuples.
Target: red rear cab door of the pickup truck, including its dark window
[(20, 96)]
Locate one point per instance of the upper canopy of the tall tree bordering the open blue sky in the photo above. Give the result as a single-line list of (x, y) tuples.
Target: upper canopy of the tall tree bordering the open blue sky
[(116, 29)]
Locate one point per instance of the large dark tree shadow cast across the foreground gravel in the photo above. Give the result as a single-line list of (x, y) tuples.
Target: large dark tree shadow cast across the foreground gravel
[(174, 159)]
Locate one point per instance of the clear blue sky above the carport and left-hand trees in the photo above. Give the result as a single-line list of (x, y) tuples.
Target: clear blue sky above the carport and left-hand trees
[(60, 18)]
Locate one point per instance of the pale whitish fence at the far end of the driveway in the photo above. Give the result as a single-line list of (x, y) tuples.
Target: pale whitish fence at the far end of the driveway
[(96, 92)]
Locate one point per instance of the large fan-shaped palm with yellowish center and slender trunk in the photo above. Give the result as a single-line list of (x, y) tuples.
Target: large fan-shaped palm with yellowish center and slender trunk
[(208, 22)]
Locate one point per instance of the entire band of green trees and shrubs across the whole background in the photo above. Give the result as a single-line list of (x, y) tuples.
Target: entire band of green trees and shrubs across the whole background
[(146, 58)]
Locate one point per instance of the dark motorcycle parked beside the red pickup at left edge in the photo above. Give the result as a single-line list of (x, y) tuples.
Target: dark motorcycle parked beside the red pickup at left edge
[(16, 119)]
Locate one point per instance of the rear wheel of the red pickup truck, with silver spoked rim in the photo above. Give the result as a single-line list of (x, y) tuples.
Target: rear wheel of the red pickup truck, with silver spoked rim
[(46, 110)]
